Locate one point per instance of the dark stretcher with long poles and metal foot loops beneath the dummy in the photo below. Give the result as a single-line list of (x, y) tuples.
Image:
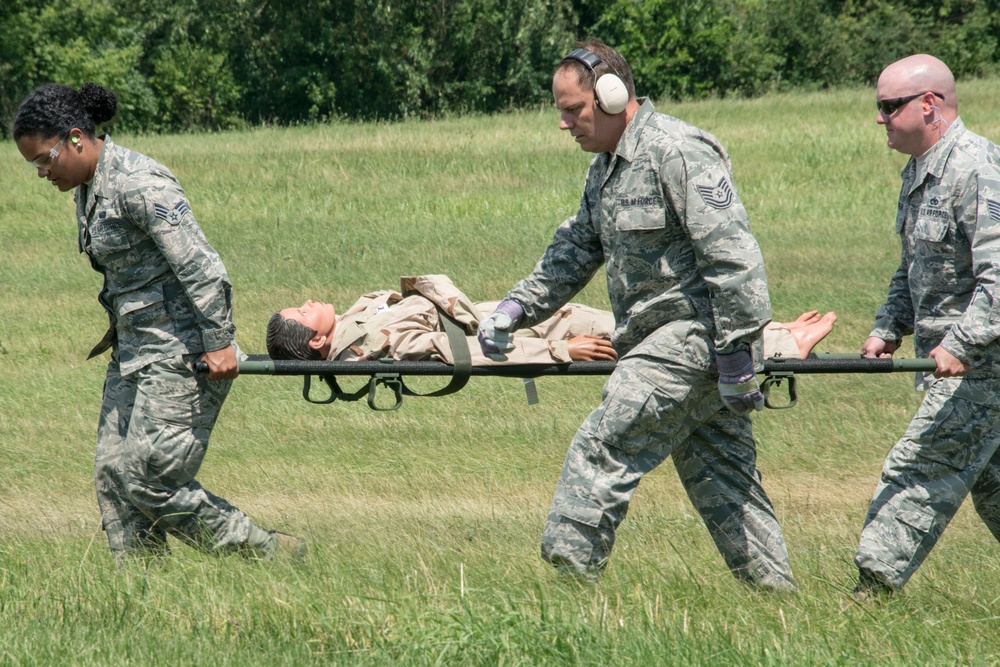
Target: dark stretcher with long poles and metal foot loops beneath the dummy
[(389, 373)]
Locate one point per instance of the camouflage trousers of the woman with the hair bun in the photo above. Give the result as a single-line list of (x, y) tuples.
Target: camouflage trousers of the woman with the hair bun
[(151, 439)]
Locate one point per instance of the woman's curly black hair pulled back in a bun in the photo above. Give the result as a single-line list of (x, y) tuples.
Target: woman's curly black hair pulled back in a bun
[(53, 110)]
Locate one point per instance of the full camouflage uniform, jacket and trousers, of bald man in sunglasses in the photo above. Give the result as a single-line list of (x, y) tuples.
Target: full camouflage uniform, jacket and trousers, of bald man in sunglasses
[(945, 293)]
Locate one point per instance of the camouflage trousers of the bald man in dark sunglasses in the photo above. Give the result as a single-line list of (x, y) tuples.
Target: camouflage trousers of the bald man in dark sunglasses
[(948, 451)]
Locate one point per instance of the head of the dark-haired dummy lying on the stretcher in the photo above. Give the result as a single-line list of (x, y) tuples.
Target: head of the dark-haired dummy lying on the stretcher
[(302, 333)]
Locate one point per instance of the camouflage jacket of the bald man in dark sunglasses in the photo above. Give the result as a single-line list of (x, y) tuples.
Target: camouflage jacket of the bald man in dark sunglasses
[(945, 290)]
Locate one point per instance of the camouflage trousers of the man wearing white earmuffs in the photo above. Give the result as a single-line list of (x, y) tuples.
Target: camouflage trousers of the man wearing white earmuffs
[(652, 410)]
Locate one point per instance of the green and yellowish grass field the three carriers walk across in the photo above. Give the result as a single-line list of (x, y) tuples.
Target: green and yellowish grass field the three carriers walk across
[(425, 522)]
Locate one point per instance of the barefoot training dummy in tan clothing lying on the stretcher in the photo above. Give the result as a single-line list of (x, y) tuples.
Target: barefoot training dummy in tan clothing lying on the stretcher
[(407, 325)]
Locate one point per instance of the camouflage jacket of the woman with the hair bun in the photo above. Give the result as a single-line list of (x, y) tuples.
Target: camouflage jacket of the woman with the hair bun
[(165, 288)]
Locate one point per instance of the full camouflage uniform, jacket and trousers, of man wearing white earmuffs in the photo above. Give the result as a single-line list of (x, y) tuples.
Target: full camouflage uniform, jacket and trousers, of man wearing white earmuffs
[(685, 279)]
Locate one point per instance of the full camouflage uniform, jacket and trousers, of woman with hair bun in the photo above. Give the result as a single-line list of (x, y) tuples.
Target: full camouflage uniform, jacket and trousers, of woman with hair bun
[(169, 299)]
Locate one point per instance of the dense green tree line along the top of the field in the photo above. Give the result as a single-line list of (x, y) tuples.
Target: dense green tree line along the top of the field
[(196, 65)]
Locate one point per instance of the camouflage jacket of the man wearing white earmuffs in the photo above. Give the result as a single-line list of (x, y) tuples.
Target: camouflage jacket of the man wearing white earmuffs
[(662, 214)]
